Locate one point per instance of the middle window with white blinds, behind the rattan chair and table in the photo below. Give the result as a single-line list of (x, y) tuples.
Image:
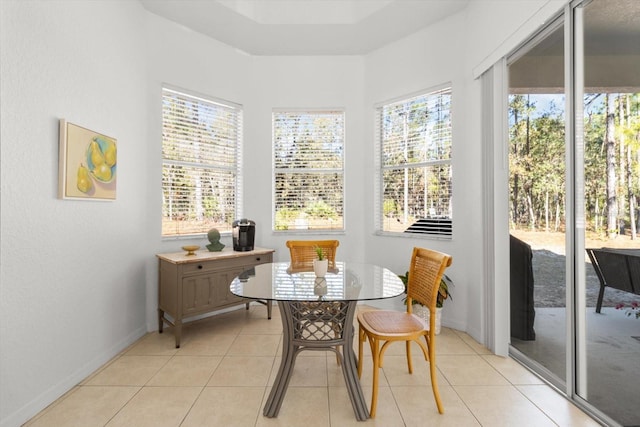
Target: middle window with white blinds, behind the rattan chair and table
[(308, 150)]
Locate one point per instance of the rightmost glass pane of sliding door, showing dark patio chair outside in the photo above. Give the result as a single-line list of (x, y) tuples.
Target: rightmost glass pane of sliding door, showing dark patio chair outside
[(611, 121)]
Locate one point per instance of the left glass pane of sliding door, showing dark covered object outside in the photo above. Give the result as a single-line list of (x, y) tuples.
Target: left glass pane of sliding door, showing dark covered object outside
[(537, 174)]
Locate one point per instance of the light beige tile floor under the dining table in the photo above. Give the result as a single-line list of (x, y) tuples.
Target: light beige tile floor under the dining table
[(222, 374)]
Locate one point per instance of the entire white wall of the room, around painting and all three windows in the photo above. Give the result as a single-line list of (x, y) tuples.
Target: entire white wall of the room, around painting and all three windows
[(78, 280)]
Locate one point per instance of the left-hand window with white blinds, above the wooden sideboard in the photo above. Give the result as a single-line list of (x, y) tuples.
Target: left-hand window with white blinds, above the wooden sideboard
[(201, 179)]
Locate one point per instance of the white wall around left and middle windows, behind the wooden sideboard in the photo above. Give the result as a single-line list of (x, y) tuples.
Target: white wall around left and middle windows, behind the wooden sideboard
[(202, 65)]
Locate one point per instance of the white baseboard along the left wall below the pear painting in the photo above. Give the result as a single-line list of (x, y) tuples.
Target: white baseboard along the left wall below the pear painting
[(53, 393)]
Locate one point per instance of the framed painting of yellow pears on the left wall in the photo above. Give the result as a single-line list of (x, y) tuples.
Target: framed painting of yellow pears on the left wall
[(88, 164)]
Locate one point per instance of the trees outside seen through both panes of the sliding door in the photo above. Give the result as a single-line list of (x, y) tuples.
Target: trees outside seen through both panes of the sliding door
[(538, 165)]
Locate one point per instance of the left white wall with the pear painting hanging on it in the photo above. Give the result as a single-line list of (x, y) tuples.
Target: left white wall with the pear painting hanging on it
[(72, 279)]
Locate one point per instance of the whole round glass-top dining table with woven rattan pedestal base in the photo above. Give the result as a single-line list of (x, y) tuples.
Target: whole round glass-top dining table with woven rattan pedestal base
[(317, 314)]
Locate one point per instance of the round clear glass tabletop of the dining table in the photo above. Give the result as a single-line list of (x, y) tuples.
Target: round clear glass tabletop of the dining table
[(349, 281)]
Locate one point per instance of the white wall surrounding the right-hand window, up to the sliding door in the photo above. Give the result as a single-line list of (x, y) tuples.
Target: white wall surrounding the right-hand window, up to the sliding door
[(450, 51)]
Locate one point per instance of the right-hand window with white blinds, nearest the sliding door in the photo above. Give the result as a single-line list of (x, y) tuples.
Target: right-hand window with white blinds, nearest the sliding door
[(414, 165)]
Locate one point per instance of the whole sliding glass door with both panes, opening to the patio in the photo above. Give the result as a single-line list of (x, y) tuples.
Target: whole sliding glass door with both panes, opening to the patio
[(574, 219)]
